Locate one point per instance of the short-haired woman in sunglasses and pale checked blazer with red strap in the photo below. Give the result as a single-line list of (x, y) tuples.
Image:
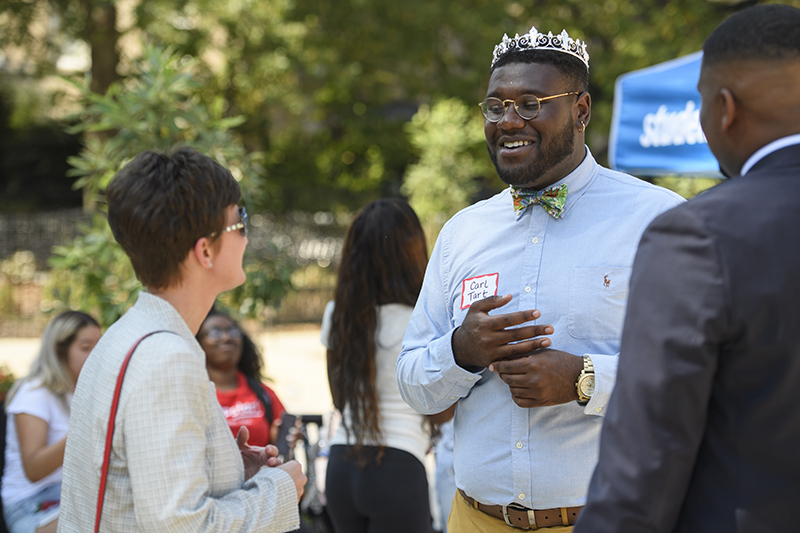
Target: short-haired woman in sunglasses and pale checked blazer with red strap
[(174, 465)]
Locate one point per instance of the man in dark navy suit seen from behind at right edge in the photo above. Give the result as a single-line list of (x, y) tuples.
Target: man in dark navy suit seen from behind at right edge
[(703, 428)]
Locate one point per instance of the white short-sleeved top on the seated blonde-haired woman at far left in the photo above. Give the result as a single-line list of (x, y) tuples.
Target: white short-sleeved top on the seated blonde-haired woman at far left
[(35, 400)]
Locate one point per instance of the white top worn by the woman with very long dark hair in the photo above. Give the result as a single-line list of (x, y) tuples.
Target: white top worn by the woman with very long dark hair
[(401, 426)]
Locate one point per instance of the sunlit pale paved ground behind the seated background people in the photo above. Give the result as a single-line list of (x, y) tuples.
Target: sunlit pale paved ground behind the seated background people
[(294, 361)]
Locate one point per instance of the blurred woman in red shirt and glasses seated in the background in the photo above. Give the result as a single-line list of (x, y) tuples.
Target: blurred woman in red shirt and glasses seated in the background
[(234, 365)]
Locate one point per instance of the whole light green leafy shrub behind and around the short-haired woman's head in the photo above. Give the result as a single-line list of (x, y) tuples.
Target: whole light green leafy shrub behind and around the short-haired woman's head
[(157, 107)]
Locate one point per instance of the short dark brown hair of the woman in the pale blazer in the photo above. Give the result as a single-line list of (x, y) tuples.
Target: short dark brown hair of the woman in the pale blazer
[(160, 204)]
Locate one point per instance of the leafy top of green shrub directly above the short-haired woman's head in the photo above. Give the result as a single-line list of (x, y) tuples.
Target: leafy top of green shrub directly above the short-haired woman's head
[(158, 107)]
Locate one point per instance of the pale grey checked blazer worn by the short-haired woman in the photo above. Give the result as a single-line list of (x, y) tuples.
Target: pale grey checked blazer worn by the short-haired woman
[(175, 465)]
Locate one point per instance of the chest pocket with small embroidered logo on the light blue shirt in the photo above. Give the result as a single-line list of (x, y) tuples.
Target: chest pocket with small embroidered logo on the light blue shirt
[(597, 299)]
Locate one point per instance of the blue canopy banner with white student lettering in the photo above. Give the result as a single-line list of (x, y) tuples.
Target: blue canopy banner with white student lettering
[(655, 127)]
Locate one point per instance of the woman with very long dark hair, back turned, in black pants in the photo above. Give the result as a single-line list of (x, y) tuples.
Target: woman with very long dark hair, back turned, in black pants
[(376, 480)]
